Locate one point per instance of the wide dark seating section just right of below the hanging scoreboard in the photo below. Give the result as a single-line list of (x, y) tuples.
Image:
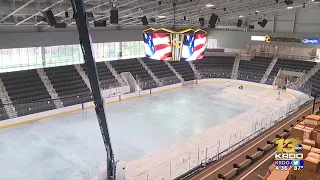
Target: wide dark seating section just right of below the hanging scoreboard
[(215, 67)]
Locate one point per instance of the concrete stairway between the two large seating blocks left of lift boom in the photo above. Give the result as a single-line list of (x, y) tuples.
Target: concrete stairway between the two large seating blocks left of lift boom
[(52, 92)]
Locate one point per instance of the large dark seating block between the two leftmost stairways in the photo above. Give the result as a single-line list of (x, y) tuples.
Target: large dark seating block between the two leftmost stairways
[(27, 92)]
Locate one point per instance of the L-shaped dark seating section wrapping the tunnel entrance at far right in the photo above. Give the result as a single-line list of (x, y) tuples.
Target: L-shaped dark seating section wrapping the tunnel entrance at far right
[(289, 64)]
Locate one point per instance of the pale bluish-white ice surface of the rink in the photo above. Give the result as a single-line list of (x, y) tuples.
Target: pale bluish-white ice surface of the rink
[(70, 147)]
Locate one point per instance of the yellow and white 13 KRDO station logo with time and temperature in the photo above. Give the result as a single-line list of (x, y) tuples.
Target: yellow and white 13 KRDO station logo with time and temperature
[(289, 154)]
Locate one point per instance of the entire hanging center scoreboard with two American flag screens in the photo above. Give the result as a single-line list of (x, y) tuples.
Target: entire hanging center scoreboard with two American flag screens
[(167, 45)]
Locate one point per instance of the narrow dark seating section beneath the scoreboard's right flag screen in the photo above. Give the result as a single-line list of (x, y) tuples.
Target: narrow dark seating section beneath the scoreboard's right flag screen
[(184, 69)]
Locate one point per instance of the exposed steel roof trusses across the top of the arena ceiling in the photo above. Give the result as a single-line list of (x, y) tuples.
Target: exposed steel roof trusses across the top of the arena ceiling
[(187, 12)]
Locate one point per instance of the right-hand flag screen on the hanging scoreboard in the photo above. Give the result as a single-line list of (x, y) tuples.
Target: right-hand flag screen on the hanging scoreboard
[(193, 47)]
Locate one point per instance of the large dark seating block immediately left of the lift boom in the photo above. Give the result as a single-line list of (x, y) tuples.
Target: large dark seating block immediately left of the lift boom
[(69, 85)]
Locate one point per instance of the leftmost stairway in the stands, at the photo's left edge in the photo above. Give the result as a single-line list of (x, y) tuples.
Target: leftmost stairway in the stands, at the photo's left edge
[(5, 98)]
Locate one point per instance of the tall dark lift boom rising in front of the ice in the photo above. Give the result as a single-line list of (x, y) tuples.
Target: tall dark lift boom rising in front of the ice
[(85, 42)]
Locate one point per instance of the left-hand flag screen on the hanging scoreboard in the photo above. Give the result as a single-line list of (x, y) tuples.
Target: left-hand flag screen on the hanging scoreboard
[(157, 46)]
